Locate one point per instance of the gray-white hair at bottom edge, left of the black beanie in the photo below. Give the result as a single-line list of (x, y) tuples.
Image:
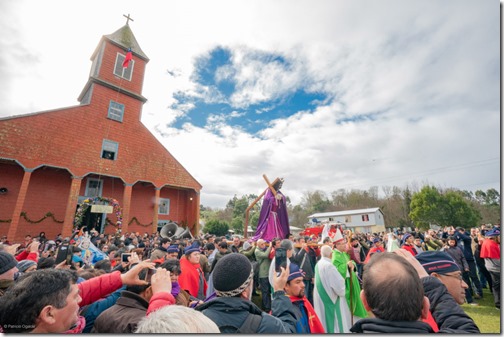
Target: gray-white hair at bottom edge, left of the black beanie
[(176, 319)]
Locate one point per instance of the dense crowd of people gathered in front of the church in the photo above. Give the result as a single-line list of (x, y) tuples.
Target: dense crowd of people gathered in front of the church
[(397, 281)]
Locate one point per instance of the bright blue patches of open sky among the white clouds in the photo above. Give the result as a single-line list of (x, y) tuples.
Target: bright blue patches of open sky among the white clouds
[(215, 76)]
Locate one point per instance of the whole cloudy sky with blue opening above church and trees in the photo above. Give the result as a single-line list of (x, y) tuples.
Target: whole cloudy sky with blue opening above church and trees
[(326, 94)]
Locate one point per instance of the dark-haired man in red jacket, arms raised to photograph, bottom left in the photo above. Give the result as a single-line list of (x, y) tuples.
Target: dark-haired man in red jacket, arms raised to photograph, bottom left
[(48, 300)]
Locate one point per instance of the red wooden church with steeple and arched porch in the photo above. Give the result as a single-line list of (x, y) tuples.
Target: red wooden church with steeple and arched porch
[(96, 157)]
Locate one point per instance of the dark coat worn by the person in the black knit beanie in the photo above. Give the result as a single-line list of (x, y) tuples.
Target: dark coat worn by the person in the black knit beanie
[(233, 311)]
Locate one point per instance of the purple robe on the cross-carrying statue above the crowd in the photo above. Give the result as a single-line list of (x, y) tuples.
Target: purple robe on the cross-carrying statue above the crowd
[(273, 220)]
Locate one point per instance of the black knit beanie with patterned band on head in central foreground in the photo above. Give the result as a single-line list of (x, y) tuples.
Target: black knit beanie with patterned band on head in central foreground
[(232, 275)]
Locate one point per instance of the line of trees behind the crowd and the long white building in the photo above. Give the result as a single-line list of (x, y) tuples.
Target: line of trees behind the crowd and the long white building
[(402, 207)]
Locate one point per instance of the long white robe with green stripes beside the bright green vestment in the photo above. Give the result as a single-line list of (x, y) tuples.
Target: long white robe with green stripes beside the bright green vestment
[(334, 286)]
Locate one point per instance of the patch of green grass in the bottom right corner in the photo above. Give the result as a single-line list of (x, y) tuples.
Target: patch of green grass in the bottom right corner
[(486, 316)]
